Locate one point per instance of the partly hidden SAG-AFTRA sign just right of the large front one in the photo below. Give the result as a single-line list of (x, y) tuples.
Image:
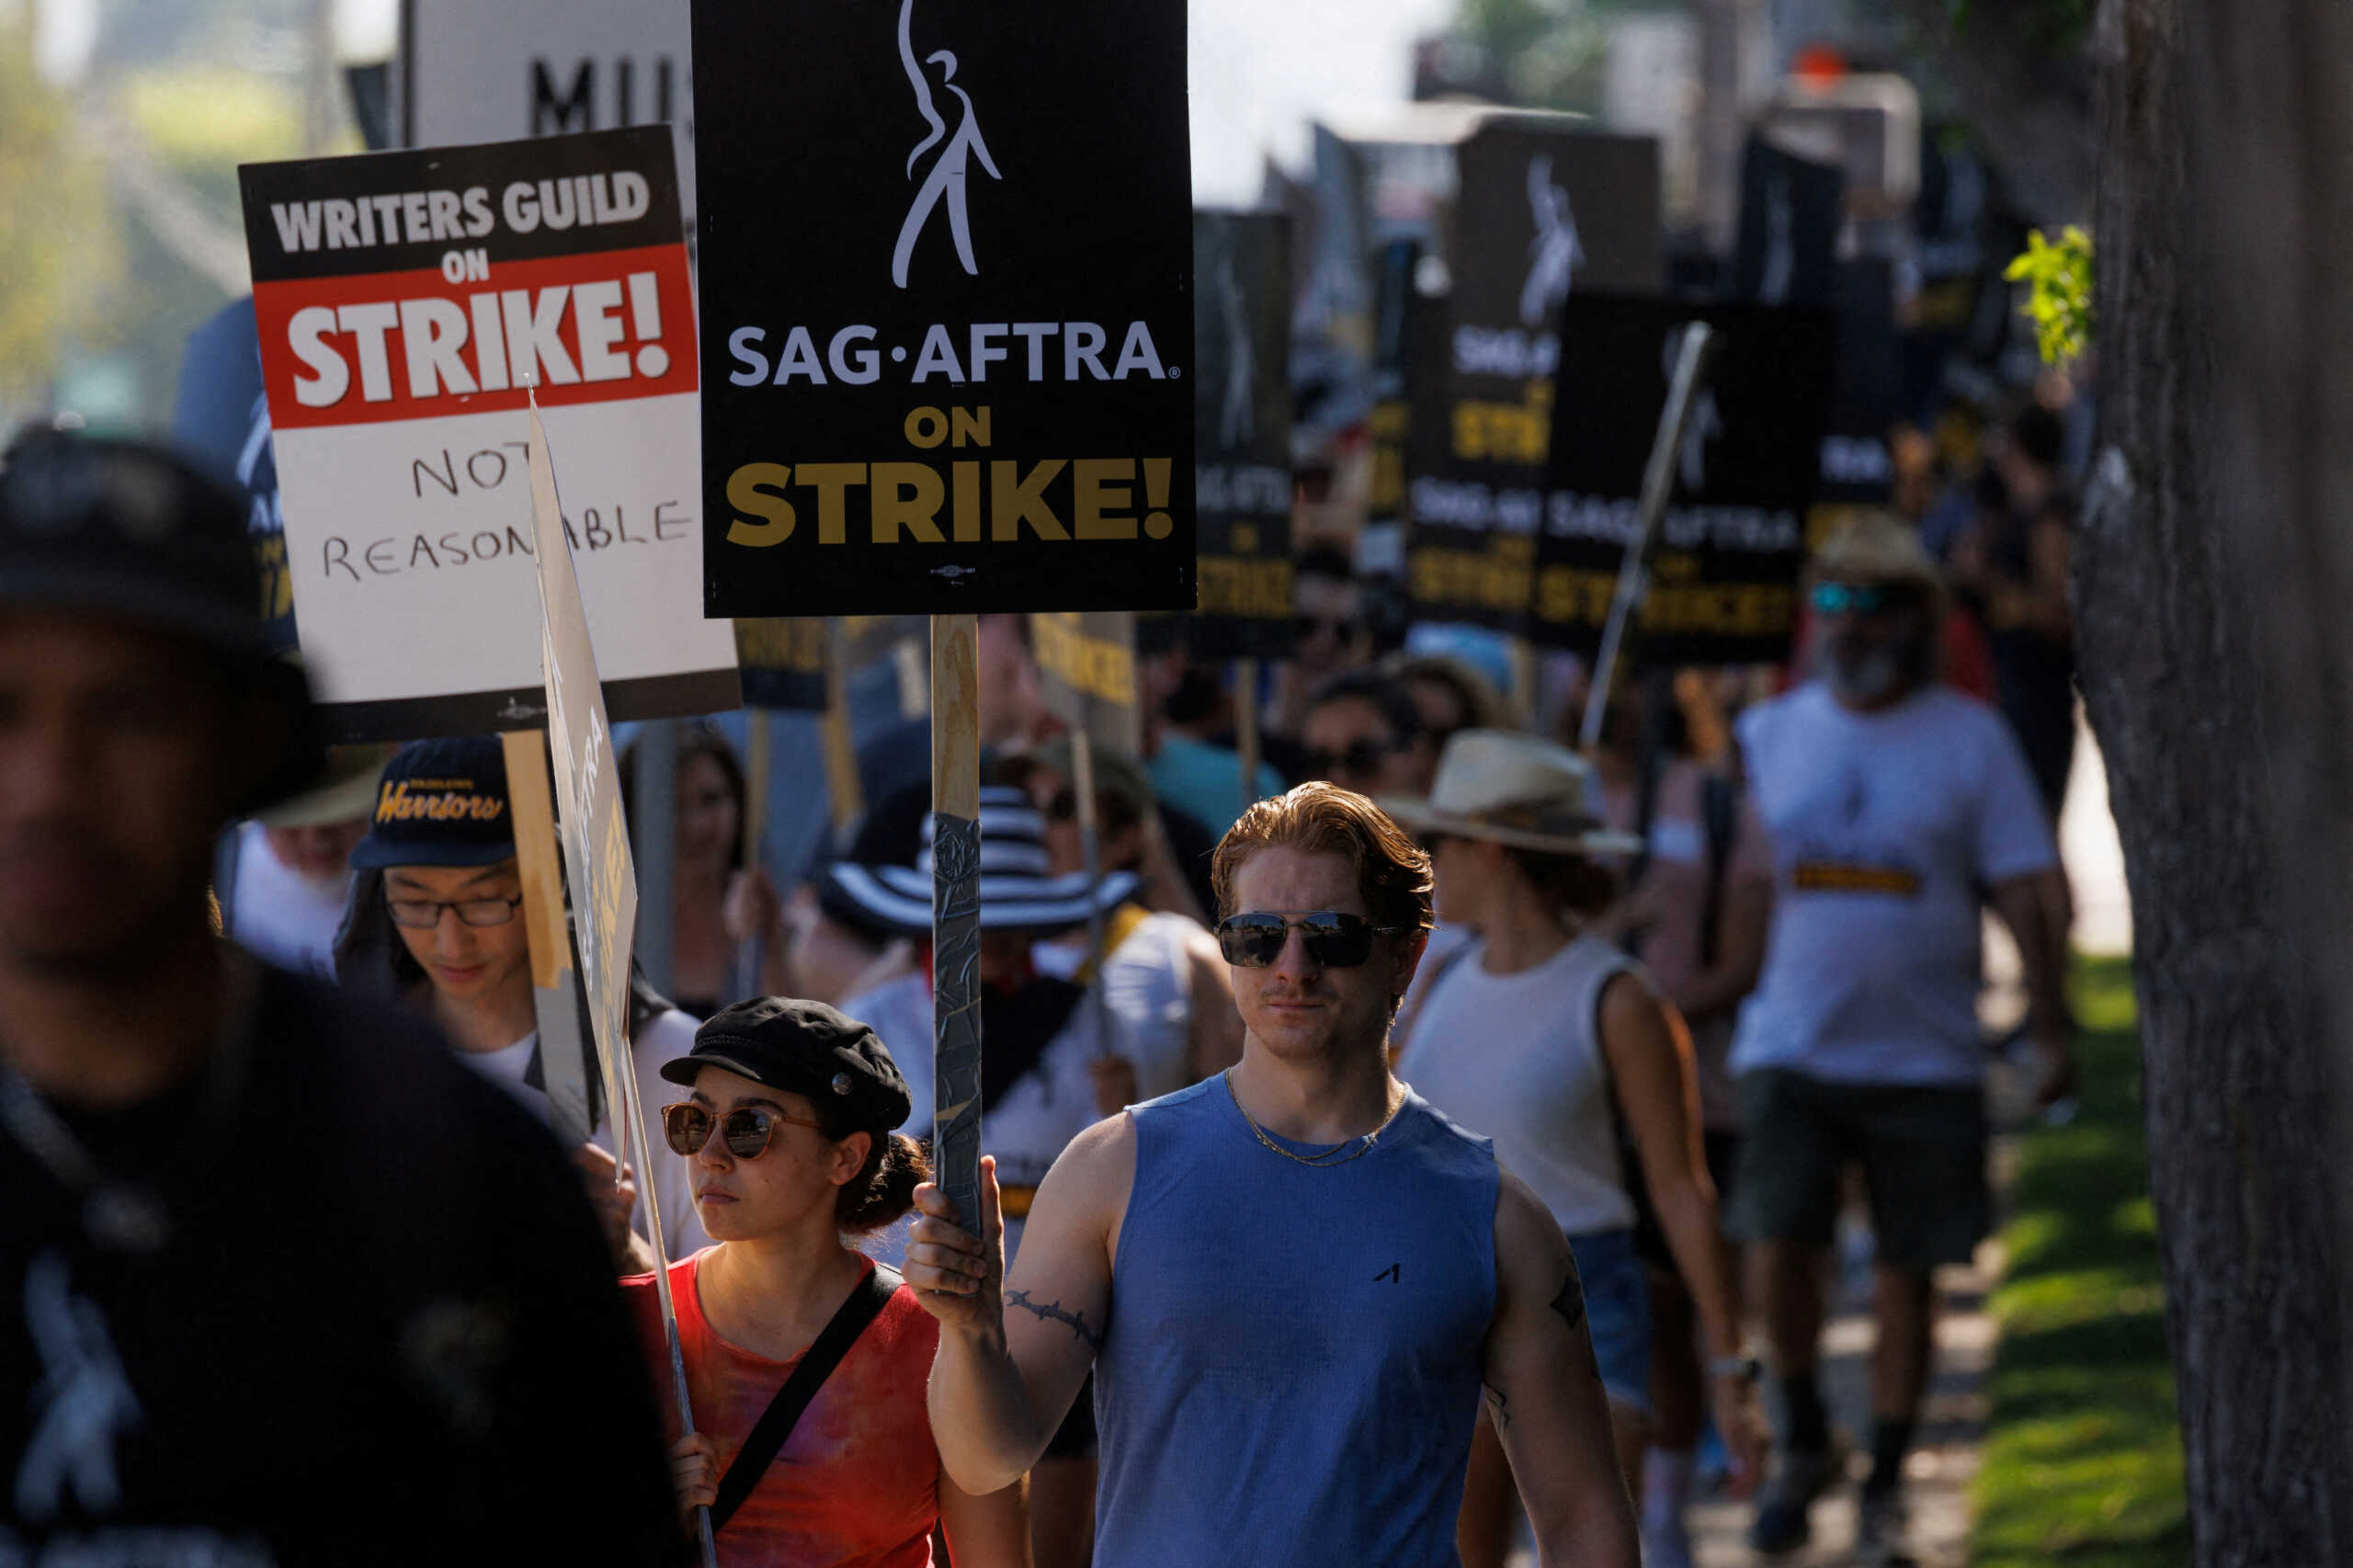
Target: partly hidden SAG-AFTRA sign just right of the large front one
[(1244, 434)]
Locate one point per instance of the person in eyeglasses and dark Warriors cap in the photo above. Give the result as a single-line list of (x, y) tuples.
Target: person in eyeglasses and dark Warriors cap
[(439, 870)]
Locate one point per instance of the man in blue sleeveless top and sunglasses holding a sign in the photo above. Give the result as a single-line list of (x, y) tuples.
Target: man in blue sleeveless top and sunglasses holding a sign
[(1293, 1282)]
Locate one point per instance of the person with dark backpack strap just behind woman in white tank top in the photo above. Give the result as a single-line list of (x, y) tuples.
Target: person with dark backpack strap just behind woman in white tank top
[(1695, 915)]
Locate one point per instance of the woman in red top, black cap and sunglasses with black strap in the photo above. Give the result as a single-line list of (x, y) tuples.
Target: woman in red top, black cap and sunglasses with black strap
[(792, 1155)]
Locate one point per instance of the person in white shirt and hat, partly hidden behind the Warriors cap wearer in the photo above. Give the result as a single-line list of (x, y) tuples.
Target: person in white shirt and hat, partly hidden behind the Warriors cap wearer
[(284, 877)]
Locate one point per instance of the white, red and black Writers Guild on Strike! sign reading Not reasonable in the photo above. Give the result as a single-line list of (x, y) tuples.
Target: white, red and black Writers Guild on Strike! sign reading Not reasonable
[(404, 305)]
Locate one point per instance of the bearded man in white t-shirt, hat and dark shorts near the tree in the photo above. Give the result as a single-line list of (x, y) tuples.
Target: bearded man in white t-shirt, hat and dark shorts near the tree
[(1895, 809)]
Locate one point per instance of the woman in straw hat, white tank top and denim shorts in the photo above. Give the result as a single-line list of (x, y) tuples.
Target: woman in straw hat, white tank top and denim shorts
[(1552, 1042)]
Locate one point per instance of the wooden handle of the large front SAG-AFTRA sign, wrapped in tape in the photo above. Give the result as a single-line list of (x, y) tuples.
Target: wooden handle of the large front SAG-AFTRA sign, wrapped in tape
[(956, 915)]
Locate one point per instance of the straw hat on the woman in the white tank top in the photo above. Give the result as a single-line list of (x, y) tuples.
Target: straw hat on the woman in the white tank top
[(1514, 790)]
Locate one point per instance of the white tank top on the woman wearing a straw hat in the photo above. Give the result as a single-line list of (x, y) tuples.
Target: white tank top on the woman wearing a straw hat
[(1519, 1061)]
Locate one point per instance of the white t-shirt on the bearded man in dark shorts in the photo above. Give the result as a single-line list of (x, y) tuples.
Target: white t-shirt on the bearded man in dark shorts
[(1886, 835)]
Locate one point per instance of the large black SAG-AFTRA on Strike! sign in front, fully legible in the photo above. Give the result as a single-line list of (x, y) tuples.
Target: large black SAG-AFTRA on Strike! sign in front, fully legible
[(964, 387)]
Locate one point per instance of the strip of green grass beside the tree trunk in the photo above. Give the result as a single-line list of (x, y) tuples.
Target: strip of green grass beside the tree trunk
[(2084, 1456)]
